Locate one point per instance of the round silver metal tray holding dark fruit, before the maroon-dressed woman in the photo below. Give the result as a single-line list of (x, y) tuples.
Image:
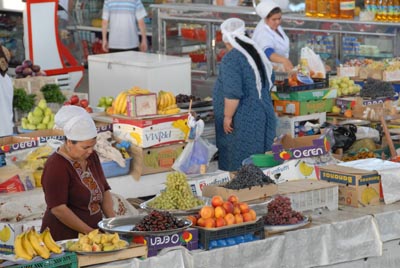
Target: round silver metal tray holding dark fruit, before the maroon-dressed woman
[(125, 225)]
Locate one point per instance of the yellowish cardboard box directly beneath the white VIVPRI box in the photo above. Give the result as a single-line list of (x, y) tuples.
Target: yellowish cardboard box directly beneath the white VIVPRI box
[(155, 159)]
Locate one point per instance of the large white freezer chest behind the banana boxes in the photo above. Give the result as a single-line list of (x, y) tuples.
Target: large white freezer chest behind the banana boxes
[(111, 73)]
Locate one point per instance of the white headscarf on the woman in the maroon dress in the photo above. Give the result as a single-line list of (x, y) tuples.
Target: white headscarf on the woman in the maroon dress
[(76, 123)]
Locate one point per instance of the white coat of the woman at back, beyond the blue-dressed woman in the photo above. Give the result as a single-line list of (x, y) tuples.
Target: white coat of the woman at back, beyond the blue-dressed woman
[(266, 38)]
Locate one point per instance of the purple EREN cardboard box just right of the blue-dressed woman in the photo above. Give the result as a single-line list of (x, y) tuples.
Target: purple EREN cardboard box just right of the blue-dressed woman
[(286, 147)]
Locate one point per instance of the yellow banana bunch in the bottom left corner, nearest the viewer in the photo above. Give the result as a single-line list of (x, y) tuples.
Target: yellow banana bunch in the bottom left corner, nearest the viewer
[(30, 244)]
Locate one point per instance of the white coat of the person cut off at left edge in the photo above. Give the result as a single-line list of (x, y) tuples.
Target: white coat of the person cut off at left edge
[(6, 106)]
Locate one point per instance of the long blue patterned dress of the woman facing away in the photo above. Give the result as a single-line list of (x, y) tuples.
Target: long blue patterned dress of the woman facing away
[(254, 123)]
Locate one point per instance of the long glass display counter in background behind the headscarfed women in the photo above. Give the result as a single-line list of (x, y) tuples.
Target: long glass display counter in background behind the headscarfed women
[(192, 30)]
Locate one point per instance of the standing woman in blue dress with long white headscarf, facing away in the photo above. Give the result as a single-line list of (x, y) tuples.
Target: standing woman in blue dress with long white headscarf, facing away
[(244, 116)]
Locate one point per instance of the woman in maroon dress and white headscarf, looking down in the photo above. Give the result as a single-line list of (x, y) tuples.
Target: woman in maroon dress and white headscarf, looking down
[(76, 191)]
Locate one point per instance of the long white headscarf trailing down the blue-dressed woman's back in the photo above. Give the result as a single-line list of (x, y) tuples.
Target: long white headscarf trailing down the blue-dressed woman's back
[(234, 27)]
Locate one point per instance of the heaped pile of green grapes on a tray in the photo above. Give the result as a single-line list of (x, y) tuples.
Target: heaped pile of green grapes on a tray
[(177, 194)]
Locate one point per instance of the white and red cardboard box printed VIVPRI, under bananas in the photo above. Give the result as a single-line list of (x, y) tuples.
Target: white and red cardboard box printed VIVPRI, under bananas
[(151, 131)]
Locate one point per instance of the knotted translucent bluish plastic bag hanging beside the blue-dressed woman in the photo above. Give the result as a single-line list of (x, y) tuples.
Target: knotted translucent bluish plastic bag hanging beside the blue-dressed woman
[(197, 153)]
